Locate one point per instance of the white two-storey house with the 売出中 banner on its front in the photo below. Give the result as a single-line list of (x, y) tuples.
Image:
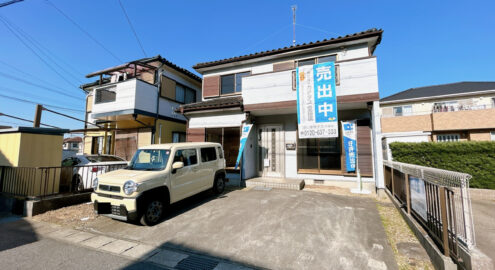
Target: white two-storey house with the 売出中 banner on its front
[(260, 88)]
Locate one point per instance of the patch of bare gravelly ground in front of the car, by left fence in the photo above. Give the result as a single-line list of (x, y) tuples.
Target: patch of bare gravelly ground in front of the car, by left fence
[(72, 216)]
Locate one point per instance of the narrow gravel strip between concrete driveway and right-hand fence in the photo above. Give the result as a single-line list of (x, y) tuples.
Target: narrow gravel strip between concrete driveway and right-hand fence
[(408, 252)]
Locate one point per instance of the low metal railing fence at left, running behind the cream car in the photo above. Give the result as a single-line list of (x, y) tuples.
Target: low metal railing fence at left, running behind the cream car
[(40, 182)]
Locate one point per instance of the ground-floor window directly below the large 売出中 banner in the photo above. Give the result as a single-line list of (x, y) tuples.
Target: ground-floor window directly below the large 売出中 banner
[(318, 155)]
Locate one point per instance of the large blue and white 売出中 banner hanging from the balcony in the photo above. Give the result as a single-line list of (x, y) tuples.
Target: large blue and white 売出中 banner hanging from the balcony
[(317, 101)]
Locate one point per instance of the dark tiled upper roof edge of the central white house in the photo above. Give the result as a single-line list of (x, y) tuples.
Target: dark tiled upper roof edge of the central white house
[(359, 35)]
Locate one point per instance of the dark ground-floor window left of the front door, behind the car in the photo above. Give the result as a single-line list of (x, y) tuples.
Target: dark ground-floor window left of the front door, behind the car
[(229, 138)]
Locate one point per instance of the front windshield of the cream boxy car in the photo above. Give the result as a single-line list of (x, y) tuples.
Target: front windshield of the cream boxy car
[(149, 160)]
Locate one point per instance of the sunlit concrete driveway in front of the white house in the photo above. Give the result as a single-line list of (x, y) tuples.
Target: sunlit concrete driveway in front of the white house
[(277, 229)]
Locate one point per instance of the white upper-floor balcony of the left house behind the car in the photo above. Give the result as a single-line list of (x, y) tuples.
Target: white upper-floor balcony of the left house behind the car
[(127, 99)]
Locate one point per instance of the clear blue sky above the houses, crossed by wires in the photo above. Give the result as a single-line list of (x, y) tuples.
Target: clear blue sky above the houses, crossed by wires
[(424, 43)]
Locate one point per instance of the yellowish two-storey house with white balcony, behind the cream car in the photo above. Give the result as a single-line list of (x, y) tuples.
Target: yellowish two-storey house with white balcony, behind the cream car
[(134, 105)]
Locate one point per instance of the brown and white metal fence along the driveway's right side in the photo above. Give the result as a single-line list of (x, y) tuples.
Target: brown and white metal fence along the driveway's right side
[(448, 218)]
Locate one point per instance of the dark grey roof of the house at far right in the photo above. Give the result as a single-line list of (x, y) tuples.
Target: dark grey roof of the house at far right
[(440, 90)]
